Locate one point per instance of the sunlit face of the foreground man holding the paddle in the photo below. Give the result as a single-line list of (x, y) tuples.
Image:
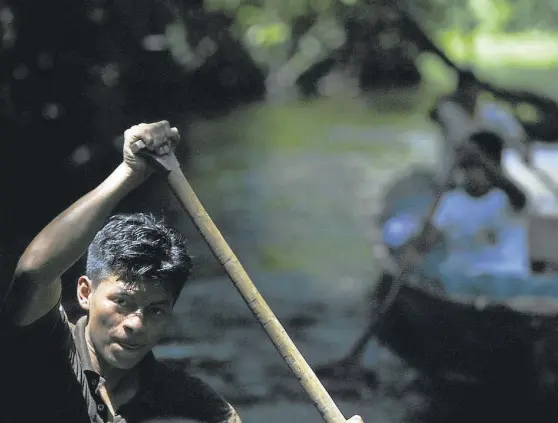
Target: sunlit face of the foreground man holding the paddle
[(125, 321)]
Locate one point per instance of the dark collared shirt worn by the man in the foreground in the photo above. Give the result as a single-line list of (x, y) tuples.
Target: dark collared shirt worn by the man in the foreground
[(48, 376)]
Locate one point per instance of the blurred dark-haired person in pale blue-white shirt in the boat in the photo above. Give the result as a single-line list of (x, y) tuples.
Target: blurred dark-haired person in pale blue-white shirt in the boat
[(484, 235)]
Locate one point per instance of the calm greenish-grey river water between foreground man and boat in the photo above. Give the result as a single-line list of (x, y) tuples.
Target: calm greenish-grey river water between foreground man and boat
[(295, 190)]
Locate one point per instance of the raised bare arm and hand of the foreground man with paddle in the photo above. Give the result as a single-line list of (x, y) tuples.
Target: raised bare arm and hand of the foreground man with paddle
[(36, 287)]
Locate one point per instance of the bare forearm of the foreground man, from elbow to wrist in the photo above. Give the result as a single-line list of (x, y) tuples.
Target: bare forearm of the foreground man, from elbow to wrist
[(66, 238)]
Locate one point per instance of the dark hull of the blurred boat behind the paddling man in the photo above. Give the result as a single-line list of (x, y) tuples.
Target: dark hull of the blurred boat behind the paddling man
[(470, 341)]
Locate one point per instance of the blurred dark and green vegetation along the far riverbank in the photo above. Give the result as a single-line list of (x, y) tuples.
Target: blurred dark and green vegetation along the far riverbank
[(75, 74)]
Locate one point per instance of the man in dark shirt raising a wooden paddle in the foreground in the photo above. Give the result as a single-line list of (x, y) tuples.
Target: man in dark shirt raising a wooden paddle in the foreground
[(102, 369)]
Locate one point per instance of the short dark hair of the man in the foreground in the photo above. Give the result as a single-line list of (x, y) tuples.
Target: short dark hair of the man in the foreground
[(139, 247)]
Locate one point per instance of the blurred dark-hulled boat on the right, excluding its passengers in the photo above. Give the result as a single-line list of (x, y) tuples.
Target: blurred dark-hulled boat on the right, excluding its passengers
[(476, 338)]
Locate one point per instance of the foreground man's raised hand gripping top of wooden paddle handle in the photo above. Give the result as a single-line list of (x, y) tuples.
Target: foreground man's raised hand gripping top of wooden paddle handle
[(158, 138)]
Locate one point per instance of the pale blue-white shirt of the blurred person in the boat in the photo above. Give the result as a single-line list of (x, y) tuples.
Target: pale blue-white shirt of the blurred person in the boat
[(483, 238)]
